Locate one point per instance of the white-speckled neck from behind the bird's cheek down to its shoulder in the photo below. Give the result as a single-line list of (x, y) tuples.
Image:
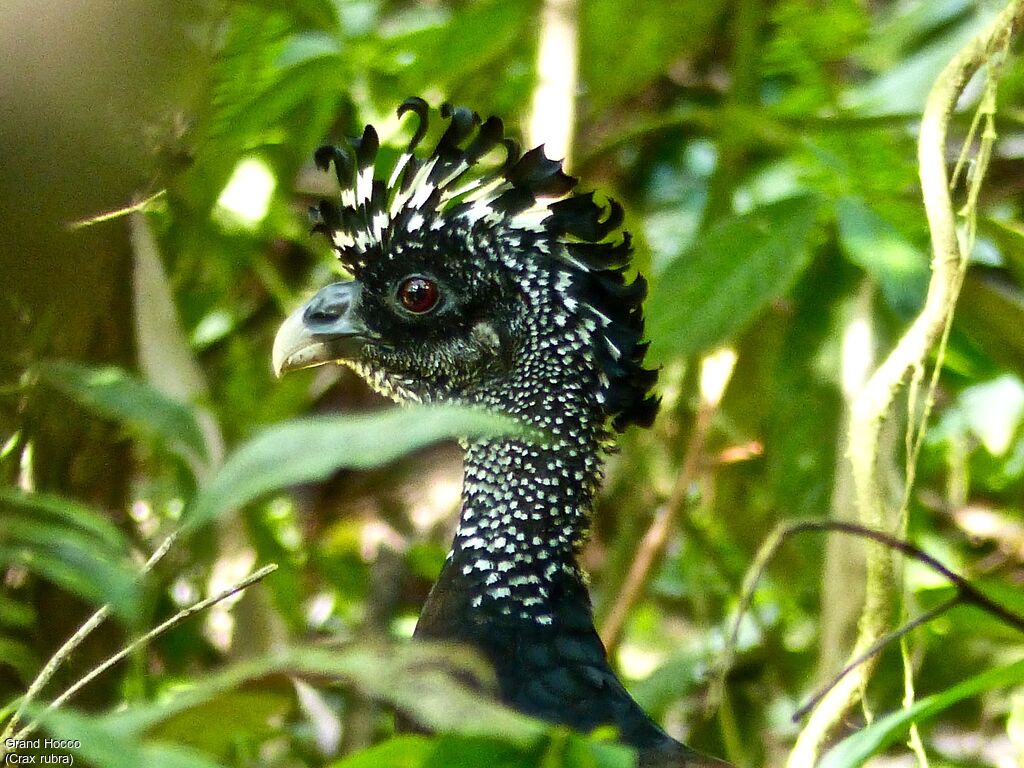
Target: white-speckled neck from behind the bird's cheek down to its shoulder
[(527, 505)]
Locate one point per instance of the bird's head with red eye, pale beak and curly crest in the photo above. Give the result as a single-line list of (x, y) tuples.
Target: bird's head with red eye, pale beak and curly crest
[(492, 284)]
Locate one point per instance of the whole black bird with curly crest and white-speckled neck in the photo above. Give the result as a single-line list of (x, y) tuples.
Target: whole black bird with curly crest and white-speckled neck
[(498, 286)]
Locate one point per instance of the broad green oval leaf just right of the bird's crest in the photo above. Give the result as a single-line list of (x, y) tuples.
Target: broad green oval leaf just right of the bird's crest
[(713, 290)]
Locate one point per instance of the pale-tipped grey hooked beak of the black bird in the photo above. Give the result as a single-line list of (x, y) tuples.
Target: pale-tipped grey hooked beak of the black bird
[(325, 330)]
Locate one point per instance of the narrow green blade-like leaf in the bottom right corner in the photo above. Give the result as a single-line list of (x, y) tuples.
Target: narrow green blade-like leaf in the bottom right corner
[(856, 750)]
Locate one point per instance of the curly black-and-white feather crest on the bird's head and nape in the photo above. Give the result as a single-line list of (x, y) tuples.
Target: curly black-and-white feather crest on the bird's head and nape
[(527, 193)]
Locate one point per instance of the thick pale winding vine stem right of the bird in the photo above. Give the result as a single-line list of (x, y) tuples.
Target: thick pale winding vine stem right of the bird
[(875, 402)]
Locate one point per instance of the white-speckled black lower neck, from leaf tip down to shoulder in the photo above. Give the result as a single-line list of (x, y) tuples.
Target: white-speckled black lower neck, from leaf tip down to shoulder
[(526, 514)]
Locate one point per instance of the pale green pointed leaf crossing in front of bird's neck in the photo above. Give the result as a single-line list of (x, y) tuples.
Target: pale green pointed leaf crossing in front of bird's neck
[(309, 450)]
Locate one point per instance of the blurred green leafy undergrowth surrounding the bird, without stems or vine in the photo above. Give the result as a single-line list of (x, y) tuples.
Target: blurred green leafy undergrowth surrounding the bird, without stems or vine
[(765, 152)]
